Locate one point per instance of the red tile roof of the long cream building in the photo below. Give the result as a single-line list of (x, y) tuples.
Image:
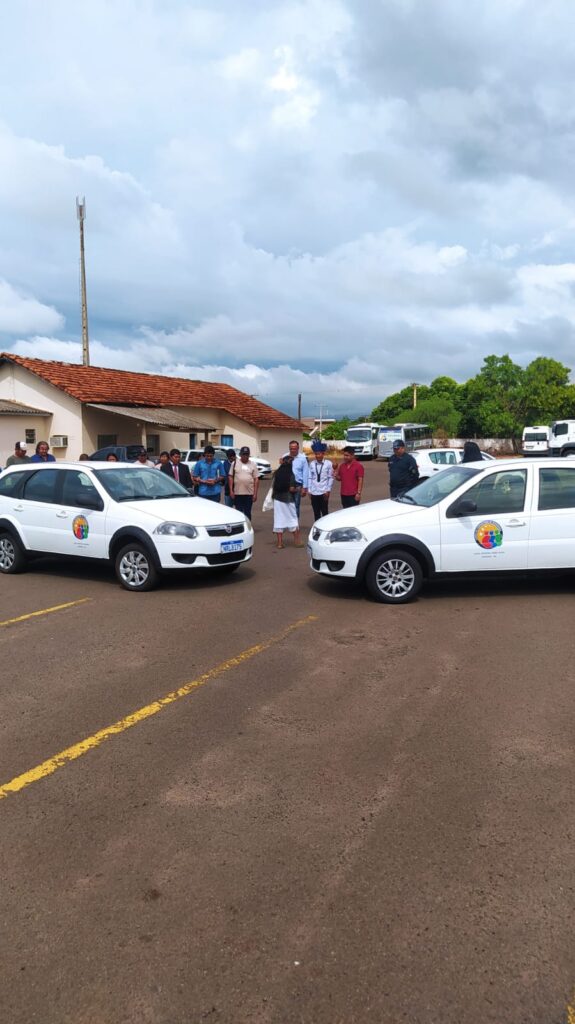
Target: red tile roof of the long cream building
[(90, 385)]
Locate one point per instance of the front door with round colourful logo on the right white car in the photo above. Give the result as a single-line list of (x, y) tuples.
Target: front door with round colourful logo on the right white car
[(496, 535)]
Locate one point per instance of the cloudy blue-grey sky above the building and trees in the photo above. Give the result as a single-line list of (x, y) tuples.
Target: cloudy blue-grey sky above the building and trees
[(327, 197)]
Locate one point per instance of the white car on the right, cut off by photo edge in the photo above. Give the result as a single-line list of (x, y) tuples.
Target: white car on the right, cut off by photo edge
[(496, 517)]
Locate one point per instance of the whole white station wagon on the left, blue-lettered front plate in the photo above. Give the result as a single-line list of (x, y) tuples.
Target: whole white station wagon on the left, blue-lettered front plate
[(139, 520)]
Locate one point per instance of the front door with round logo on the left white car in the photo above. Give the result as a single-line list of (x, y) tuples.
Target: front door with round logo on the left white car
[(80, 518)]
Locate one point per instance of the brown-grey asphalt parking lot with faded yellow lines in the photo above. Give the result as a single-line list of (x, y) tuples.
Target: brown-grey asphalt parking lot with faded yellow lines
[(267, 799)]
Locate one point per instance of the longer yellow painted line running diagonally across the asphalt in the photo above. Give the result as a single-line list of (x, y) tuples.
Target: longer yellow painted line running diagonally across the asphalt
[(72, 753)]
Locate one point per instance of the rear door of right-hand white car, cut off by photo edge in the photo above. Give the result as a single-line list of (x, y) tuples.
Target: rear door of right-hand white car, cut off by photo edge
[(552, 544)]
